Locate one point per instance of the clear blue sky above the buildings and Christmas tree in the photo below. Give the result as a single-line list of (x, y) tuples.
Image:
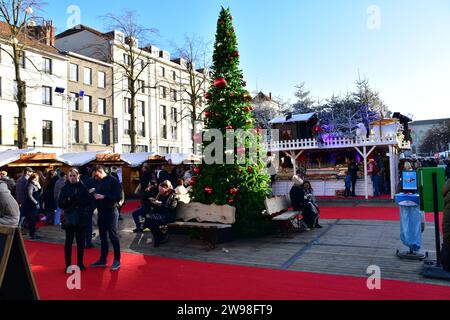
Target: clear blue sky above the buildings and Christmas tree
[(324, 43)]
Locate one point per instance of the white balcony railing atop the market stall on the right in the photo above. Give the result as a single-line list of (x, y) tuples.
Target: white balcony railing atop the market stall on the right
[(334, 143)]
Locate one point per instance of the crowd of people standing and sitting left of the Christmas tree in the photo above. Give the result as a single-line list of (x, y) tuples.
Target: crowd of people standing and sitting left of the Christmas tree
[(71, 198)]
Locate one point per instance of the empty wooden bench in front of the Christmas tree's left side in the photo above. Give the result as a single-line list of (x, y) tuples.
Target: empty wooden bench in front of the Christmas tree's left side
[(208, 218)]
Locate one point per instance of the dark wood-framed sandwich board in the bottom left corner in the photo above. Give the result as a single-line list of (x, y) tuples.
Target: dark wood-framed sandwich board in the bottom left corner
[(16, 279)]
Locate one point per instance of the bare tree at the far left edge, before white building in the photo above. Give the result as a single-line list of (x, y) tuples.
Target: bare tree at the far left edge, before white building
[(19, 16)]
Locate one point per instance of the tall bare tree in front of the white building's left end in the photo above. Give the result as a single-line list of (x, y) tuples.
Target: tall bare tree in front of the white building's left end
[(134, 61)]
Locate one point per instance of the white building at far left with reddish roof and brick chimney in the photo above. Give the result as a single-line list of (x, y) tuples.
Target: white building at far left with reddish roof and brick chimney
[(44, 71)]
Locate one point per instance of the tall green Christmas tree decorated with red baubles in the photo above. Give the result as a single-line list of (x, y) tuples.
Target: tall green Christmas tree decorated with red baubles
[(242, 184)]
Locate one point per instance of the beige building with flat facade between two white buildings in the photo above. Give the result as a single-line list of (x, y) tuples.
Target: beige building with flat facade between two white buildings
[(90, 98)]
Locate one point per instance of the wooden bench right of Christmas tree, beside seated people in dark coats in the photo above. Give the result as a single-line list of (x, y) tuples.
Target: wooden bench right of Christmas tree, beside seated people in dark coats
[(278, 208)]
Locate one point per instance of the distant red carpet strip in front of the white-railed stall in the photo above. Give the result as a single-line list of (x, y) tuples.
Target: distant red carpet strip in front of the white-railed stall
[(367, 213)]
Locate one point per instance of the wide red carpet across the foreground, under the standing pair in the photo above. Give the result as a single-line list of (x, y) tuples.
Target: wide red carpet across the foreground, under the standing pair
[(155, 278)]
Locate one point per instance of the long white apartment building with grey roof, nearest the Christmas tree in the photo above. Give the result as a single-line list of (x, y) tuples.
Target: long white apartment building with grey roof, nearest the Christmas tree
[(162, 119)]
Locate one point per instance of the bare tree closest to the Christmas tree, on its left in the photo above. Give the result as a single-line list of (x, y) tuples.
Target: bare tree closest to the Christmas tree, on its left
[(194, 58)]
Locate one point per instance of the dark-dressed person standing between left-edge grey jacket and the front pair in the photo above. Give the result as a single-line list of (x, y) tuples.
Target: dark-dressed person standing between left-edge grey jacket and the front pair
[(32, 204)]
